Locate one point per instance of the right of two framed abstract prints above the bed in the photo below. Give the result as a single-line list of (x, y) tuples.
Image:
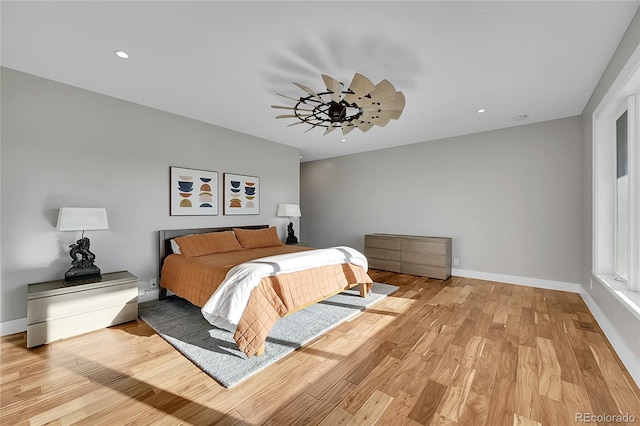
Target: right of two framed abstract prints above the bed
[(241, 194)]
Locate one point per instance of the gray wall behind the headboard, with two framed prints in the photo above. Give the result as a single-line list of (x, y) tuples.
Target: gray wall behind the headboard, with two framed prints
[(67, 147)]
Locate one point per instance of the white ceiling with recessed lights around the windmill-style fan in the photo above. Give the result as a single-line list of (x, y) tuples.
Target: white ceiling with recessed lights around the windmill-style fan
[(223, 62)]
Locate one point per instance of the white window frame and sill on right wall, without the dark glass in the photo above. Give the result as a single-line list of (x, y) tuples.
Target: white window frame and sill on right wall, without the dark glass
[(624, 94)]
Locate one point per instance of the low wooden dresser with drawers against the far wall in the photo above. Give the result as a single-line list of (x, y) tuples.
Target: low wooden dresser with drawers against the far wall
[(409, 254)]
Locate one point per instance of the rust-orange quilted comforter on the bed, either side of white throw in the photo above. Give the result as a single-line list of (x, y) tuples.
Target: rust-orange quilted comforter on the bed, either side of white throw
[(195, 279)]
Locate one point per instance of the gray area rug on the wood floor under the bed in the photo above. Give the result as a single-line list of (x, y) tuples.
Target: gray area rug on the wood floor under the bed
[(215, 352)]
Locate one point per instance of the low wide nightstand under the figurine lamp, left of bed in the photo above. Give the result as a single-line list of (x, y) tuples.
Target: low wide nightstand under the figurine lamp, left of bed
[(56, 310)]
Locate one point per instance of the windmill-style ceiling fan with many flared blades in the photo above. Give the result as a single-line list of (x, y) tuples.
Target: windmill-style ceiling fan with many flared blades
[(363, 105)]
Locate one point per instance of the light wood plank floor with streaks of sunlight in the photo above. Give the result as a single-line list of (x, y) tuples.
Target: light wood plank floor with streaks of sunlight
[(462, 351)]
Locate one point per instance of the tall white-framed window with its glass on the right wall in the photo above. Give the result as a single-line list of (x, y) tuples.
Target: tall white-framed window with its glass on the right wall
[(616, 182)]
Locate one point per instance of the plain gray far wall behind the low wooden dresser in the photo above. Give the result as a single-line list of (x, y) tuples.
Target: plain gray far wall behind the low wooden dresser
[(510, 199)]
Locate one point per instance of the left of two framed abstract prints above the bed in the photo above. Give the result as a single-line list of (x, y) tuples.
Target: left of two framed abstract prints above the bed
[(193, 192)]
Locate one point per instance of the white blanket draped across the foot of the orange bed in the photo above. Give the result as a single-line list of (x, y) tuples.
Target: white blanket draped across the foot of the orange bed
[(227, 304)]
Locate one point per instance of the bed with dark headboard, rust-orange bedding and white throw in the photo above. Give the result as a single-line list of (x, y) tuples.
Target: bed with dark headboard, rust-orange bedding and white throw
[(205, 256)]
